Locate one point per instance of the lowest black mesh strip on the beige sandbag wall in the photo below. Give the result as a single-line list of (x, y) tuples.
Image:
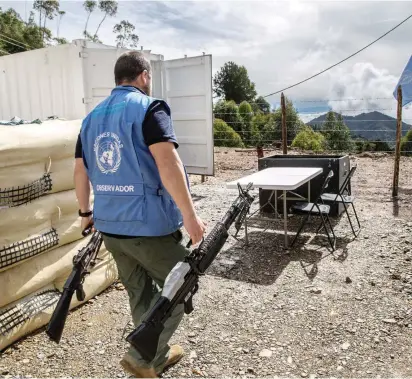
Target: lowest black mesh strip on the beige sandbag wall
[(12, 317)]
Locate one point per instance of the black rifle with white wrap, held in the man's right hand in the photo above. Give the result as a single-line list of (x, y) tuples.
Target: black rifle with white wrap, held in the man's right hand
[(182, 282)]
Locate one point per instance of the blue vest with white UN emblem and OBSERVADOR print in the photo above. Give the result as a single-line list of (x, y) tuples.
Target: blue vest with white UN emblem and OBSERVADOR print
[(129, 198)]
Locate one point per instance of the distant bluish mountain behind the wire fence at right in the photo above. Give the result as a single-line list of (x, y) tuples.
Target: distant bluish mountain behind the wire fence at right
[(371, 126)]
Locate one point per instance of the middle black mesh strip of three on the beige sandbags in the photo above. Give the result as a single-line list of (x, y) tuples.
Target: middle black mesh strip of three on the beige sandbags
[(21, 250)]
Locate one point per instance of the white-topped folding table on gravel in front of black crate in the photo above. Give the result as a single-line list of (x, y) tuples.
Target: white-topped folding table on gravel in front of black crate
[(285, 179)]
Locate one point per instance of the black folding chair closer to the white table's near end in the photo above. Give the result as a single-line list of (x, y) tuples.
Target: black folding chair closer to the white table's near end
[(316, 209)]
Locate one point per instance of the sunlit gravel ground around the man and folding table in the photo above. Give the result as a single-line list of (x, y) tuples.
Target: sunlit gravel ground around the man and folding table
[(262, 311)]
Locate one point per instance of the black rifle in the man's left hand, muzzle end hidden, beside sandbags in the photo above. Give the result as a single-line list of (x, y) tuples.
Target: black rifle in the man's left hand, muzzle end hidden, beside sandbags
[(82, 262)]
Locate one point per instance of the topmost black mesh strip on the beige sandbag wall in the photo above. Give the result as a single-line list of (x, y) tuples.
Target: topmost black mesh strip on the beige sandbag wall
[(15, 196)]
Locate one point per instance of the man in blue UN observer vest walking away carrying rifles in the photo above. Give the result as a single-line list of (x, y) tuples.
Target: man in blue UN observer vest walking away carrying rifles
[(127, 150)]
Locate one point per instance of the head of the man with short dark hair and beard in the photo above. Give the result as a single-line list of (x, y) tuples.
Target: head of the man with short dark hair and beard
[(132, 68)]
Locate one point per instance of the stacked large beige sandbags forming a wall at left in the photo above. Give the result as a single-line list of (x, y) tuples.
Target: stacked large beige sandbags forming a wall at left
[(40, 229)]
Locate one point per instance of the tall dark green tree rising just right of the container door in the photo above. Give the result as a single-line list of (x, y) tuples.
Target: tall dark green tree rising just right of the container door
[(232, 83)]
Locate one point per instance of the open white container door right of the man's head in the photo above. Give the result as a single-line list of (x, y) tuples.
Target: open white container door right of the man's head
[(187, 88)]
